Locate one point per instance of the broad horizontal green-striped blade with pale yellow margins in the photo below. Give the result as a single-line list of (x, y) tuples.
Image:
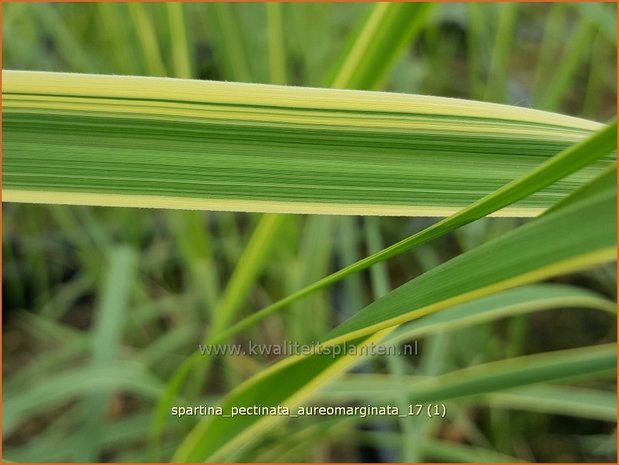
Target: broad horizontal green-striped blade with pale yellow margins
[(86, 139)]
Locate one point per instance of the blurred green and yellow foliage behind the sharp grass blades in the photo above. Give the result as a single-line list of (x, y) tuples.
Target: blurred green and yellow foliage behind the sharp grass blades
[(101, 305)]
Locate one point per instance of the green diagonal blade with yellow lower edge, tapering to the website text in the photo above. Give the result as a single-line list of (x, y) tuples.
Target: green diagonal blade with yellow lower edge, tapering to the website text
[(515, 261)]
